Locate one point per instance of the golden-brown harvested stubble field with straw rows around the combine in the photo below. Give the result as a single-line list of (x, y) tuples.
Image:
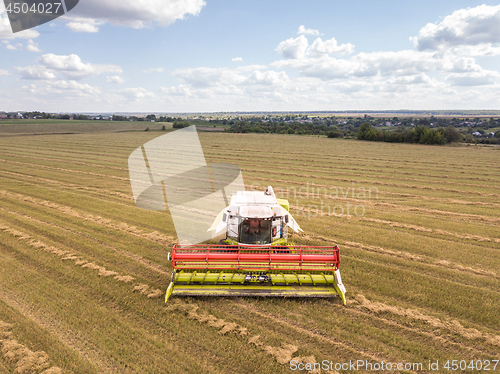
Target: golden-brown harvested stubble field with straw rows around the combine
[(85, 270)]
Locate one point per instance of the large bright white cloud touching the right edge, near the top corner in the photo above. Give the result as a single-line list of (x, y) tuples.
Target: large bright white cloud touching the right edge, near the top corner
[(471, 26)]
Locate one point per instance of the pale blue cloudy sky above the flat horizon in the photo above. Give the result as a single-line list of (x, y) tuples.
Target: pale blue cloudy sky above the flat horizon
[(216, 55)]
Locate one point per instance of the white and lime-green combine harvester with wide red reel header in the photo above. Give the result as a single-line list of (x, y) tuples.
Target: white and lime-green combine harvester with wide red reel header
[(256, 258)]
